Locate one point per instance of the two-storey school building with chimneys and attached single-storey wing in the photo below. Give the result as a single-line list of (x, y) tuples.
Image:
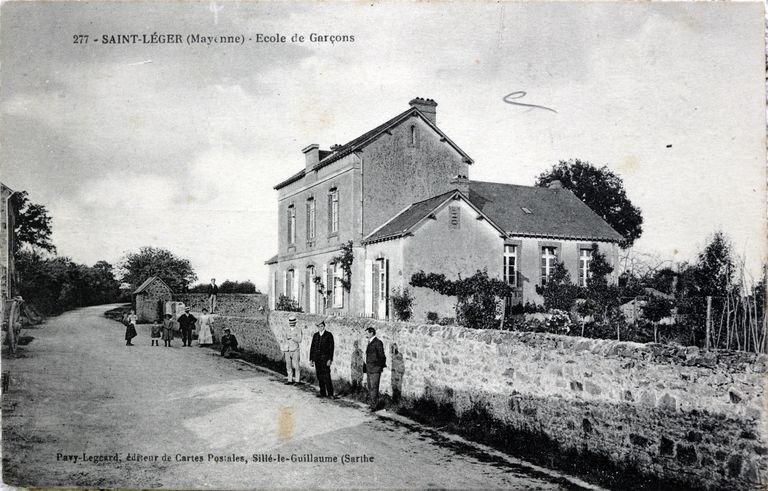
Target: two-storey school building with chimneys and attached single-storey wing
[(400, 193)]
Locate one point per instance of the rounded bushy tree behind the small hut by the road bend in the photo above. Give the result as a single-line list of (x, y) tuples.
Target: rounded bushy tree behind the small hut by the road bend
[(176, 272)]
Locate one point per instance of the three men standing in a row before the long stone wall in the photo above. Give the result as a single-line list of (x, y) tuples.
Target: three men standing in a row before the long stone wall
[(321, 358)]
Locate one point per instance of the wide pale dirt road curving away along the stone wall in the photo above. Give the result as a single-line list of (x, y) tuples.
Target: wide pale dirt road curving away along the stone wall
[(81, 404)]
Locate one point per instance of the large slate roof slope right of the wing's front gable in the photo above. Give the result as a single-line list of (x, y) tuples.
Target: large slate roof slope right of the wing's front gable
[(554, 212)]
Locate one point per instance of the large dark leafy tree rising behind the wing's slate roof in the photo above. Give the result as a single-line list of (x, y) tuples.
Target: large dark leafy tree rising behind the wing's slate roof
[(601, 190)]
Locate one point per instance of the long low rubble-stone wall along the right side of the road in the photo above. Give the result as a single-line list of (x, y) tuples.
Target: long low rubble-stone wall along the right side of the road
[(677, 413)]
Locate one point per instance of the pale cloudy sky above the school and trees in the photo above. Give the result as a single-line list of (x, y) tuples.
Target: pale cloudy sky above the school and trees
[(179, 146)]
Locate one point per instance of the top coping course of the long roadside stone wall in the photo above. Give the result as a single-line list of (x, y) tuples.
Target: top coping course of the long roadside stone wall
[(736, 361)]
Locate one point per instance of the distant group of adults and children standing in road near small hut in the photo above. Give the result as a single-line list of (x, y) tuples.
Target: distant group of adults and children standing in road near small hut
[(186, 321)]
